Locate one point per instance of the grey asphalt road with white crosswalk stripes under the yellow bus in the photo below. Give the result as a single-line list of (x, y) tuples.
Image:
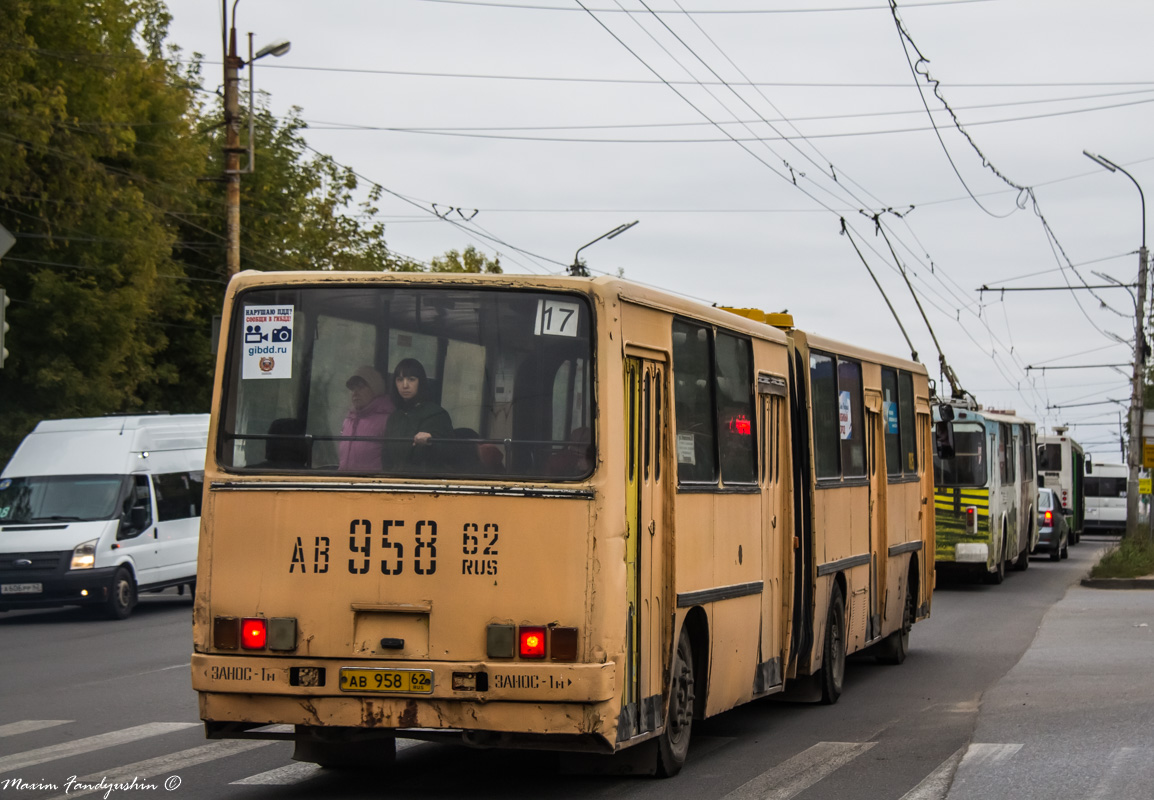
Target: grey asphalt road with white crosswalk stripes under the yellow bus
[(85, 700)]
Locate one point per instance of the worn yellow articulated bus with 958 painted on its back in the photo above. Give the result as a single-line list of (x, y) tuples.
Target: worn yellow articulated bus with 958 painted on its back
[(550, 513)]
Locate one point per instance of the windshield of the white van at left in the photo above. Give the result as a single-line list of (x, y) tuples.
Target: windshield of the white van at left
[(73, 498)]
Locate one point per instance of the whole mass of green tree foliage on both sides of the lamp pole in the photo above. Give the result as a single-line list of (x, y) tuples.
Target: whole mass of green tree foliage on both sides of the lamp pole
[(110, 178)]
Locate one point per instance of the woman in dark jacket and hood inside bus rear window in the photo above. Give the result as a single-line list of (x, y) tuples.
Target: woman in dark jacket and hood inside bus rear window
[(416, 424)]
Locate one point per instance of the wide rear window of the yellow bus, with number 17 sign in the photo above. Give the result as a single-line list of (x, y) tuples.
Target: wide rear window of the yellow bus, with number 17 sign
[(410, 383)]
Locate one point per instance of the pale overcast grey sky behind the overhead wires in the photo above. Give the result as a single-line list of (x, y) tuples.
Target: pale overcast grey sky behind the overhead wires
[(740, 133)]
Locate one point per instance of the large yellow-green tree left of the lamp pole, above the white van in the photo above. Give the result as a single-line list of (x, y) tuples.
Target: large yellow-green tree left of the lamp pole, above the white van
[(98, 159)]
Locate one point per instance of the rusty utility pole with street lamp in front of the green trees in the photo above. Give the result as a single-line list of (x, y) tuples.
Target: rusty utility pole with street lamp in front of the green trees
[(233, 149)]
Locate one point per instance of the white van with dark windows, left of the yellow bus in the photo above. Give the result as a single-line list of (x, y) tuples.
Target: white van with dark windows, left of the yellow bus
[(95, 511)]
